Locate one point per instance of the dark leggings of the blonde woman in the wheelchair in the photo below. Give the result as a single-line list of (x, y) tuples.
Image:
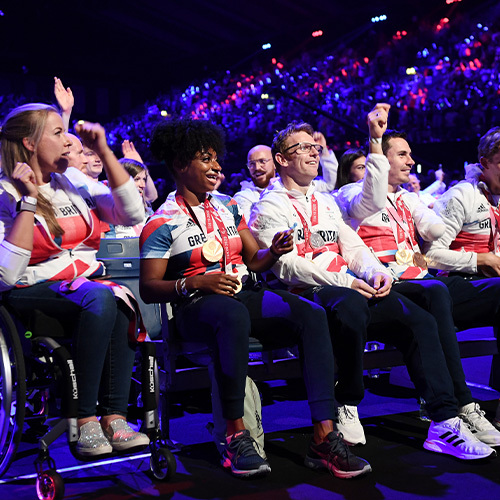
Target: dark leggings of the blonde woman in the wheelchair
[(103, 356)]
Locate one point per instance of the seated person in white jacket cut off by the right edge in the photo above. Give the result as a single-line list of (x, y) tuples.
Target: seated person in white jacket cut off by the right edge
[(469, 247)]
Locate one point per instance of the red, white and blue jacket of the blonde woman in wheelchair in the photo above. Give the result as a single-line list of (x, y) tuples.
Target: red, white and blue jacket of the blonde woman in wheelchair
[(80, 205)]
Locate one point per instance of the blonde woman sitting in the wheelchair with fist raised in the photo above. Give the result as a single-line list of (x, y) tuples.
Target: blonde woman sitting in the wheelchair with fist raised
[(50, 233)]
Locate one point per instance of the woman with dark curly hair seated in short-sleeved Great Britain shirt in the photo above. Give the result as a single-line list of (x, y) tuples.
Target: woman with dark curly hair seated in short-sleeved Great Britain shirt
[(196, 252)]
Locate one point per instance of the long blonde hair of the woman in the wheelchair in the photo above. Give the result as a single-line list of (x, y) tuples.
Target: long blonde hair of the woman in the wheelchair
[(27, 121)]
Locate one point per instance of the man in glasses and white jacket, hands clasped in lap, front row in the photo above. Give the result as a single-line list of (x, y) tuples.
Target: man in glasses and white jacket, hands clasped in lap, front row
[(332, 266)]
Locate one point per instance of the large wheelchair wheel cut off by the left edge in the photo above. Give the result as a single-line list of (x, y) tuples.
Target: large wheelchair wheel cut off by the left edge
[(12, 390)]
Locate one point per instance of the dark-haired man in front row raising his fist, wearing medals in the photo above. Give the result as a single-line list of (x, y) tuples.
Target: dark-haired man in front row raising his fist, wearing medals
[(390, 220)]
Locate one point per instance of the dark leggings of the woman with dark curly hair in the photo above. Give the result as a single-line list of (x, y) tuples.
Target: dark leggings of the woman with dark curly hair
[(277, 319)]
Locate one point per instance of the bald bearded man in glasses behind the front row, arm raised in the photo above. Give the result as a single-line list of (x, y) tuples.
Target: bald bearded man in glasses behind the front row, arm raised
[(262, 171)]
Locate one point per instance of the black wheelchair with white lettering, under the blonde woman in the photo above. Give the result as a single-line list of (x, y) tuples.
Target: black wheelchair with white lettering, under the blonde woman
[(37, 381)]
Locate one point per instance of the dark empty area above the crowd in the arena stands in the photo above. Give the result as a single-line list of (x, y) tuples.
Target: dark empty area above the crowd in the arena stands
[(115, 55)]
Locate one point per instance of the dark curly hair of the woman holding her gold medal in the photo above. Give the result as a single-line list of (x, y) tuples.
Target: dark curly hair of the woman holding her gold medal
[(177, 141)]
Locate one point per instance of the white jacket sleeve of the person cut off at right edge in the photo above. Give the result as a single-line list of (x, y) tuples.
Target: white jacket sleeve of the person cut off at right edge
[(451, 208)]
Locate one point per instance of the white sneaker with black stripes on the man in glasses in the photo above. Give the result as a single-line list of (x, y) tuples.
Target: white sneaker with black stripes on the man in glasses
[(453, 437)]
